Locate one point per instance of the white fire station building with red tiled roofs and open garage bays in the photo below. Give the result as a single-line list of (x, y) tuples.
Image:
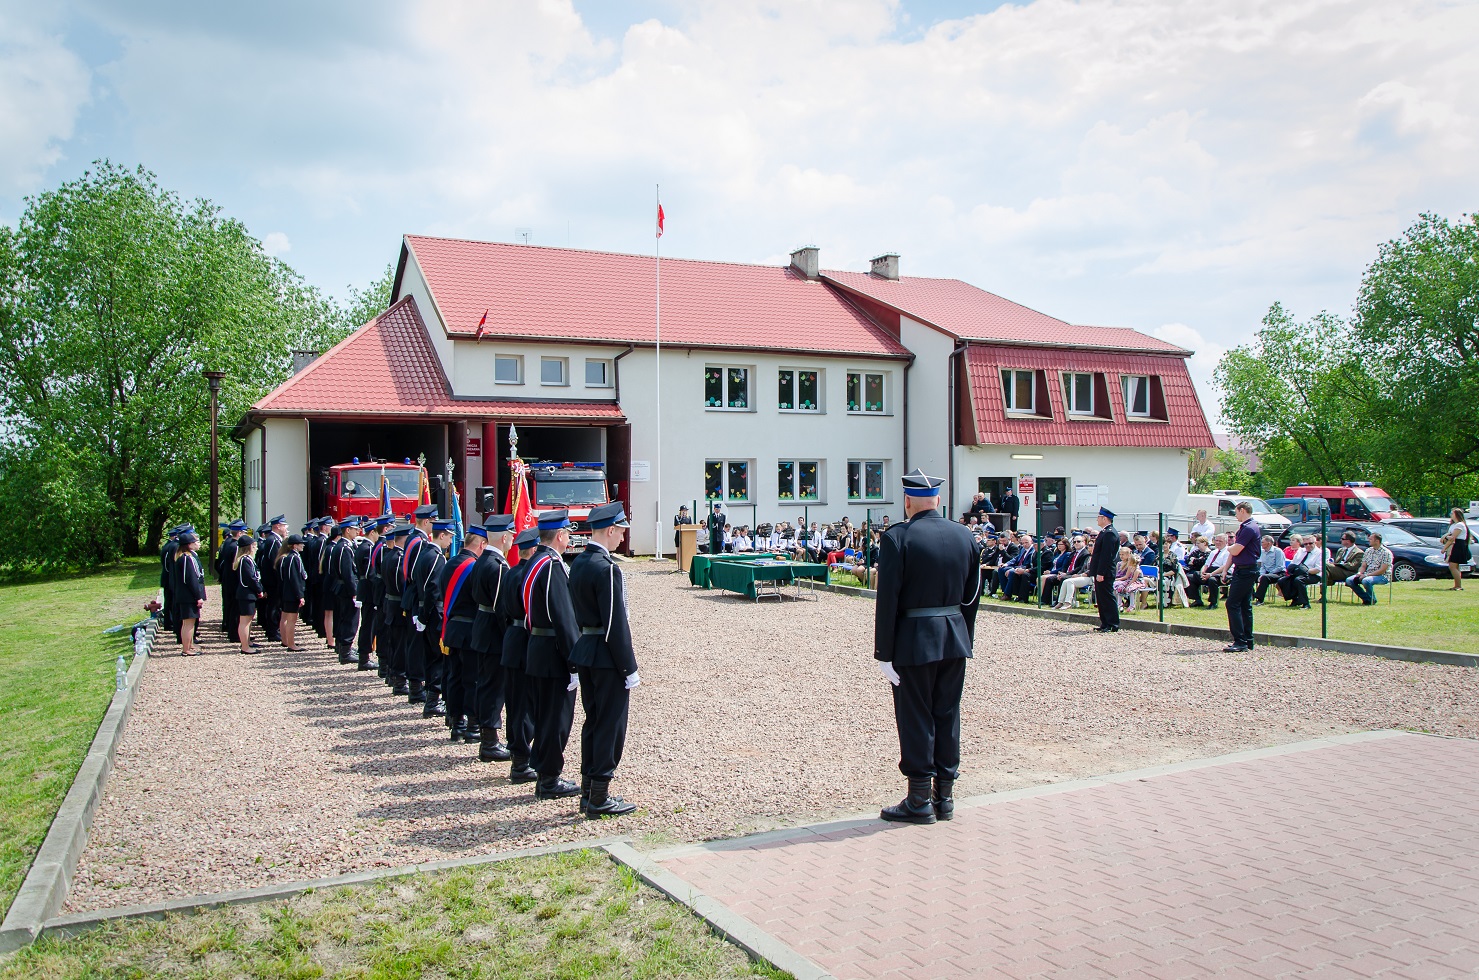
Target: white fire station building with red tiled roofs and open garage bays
[(786, 394)]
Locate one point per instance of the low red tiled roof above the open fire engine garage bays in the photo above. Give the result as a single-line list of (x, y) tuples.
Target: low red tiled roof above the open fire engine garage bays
[(388, 369)]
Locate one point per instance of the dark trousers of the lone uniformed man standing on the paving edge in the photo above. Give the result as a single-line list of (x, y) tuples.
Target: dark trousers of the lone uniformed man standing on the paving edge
[(927, 712)]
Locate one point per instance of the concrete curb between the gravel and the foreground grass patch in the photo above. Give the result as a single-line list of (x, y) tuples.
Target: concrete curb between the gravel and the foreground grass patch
[(79, 923)]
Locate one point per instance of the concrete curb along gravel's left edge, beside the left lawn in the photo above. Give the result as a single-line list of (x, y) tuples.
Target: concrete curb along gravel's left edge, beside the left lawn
[(51, 876)]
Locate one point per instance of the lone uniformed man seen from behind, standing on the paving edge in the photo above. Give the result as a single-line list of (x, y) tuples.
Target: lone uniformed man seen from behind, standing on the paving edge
[(925, 626)]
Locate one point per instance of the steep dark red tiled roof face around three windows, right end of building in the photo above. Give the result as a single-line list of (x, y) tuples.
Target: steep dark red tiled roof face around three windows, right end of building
[(1187, 426)]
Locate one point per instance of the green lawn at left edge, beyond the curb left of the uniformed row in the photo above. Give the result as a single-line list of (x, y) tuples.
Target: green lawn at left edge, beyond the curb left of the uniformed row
[(58, 672)]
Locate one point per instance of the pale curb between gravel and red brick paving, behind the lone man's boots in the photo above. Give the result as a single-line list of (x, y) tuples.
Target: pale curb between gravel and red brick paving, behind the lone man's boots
[(811, 831)]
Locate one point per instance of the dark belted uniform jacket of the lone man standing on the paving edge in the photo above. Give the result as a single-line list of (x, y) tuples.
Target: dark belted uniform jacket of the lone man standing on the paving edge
[(927, 564)]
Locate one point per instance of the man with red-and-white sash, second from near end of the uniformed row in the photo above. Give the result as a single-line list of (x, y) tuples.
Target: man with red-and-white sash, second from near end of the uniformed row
[(552, 629)]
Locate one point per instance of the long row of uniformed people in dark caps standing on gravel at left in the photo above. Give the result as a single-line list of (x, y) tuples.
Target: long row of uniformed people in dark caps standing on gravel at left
[(465, 635)]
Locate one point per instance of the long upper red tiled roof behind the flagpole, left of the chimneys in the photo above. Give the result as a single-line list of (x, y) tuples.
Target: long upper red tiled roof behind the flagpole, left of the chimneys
[(541, 293)]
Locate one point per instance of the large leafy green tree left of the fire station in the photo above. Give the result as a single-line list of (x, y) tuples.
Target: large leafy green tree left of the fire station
[(115, 296)]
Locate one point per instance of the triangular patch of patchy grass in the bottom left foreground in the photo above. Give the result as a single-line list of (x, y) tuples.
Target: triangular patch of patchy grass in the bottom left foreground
[(566, 916)]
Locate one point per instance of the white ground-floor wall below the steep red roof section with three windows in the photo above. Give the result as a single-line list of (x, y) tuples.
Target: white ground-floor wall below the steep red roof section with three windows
[(1143, 483)]
